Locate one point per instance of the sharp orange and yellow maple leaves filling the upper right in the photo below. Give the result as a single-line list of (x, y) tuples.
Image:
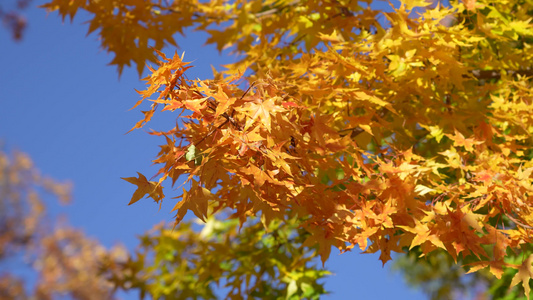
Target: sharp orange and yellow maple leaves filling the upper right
[(381, 130)]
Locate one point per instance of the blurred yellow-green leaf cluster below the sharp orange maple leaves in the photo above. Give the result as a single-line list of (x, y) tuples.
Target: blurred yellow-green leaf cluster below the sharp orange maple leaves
[(220, 260)]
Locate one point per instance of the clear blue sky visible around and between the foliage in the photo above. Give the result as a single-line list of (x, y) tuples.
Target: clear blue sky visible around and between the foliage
[(64, 106)]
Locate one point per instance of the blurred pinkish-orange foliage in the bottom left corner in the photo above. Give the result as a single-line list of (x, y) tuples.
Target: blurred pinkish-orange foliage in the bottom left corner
[(64, 261)]
